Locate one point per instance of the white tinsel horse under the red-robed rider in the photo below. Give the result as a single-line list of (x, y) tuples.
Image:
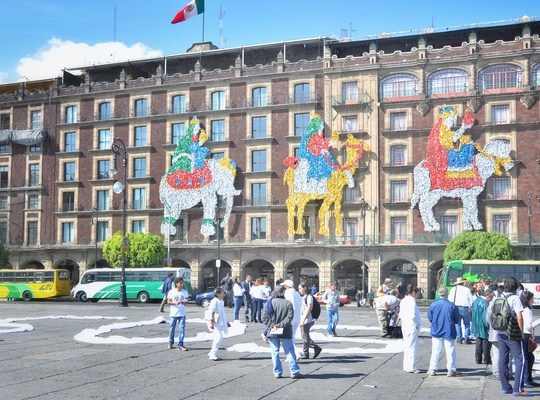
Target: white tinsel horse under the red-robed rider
[(494, 157)]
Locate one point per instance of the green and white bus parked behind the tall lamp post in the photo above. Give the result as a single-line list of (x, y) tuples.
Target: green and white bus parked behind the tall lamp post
[(142, 284)]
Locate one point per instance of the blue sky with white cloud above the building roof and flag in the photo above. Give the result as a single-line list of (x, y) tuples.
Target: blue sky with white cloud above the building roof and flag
[(39, 38)]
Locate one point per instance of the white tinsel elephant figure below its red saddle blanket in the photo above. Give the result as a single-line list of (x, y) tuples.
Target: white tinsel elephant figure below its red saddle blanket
[(175, 200)]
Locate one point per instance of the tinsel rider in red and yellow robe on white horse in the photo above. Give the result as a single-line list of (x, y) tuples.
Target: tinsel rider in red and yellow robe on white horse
[(450, 154)]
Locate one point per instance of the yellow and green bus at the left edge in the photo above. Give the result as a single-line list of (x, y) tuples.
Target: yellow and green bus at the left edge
[(28, 284)]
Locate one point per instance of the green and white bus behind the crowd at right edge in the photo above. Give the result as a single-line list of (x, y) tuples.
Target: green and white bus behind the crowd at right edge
[(526, 272)]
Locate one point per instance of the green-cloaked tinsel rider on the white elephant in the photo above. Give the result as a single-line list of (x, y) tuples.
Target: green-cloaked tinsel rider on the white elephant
[(190, 153)]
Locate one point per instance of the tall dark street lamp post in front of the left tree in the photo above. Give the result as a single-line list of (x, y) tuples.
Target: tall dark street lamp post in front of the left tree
[(119, 148)]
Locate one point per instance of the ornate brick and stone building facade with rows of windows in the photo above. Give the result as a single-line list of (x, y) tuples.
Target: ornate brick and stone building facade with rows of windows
[(57, 206)]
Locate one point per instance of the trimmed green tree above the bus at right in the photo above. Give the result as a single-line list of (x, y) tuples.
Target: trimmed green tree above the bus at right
[(479, 245)]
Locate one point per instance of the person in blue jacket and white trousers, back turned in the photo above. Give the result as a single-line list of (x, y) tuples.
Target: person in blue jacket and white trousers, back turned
[(443, 316)]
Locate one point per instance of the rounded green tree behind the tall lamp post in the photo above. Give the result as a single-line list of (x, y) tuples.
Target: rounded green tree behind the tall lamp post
[(145, 250)]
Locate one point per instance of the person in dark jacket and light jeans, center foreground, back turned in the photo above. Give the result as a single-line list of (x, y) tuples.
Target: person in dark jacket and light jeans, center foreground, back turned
[(279, 315)]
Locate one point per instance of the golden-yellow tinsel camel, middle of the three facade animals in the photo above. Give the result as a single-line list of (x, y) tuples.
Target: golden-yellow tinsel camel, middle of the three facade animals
[(297, 200)]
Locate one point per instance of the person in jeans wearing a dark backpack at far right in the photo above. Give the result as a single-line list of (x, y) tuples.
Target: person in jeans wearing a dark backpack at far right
[(507, 319)]
